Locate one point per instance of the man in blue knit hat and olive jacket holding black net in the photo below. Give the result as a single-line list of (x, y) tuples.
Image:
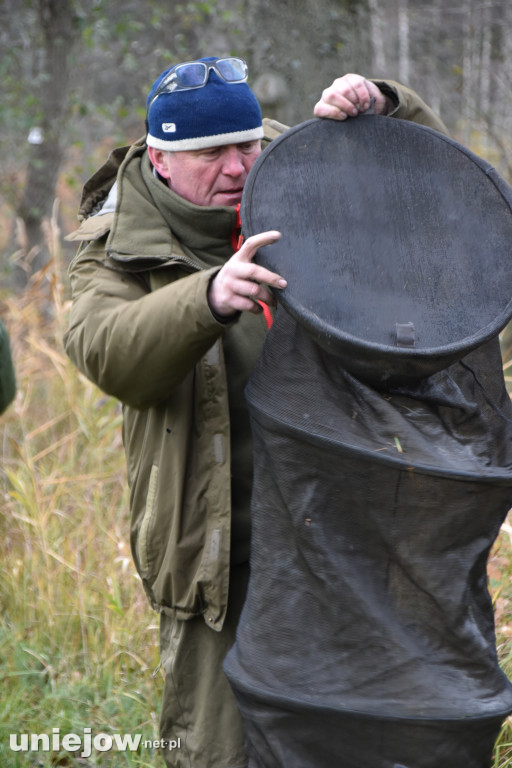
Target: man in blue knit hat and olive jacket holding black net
[(167, 316)]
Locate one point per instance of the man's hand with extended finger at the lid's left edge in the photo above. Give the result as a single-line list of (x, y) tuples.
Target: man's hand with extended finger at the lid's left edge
[(240, 283)]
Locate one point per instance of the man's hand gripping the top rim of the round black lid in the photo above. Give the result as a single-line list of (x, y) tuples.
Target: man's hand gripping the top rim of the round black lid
[(348, 96)]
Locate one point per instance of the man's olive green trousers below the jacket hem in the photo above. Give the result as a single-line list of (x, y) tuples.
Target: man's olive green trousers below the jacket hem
[(200, 721)]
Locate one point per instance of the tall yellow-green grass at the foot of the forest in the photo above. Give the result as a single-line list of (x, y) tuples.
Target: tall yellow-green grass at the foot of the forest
[(78, 643)]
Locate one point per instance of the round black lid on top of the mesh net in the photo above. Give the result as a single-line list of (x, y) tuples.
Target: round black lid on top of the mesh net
[(396, 242)]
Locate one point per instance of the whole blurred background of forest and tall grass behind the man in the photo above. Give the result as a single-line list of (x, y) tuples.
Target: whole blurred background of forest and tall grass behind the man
[(78, 643)]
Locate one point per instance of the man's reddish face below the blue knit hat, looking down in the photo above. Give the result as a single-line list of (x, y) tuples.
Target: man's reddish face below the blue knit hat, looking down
[(213, 176)]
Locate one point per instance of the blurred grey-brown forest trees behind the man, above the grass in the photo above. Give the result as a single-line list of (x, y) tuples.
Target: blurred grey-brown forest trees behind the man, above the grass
[(75, 74)]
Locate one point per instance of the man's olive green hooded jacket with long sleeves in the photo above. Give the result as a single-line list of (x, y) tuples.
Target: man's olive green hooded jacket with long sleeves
[(140, 327)]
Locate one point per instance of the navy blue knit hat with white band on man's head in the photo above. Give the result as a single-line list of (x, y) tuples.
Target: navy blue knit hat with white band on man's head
[(216, 114)]
